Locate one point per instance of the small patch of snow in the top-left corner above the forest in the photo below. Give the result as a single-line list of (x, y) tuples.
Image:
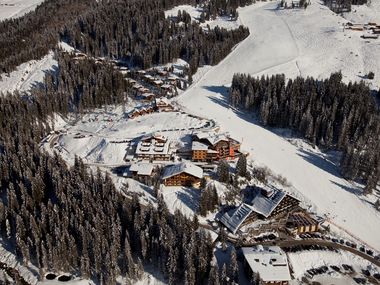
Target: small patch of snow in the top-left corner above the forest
[(16, 8)]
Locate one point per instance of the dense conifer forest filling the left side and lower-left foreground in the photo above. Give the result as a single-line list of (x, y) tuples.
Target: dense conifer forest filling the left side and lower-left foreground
[(72, 219)]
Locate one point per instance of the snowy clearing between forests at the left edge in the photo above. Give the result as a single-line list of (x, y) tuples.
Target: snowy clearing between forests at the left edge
[(28, 74)]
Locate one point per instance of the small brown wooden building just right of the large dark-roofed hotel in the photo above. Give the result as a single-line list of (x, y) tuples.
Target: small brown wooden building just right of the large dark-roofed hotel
[(301, 222)]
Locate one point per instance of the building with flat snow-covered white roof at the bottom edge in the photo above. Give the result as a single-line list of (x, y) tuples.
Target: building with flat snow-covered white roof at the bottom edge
[(268, 262)]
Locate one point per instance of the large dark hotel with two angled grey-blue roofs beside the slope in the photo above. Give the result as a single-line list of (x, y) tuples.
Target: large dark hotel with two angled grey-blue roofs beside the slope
[(266, 204)]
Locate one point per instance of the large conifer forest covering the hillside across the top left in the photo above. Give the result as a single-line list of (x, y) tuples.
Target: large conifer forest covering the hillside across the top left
[(133, 30)]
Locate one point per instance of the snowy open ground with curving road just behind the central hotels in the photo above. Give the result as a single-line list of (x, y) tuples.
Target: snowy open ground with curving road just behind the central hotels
[(101, 137)]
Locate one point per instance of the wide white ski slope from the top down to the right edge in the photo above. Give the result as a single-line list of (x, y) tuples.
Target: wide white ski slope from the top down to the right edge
[(295, 42)]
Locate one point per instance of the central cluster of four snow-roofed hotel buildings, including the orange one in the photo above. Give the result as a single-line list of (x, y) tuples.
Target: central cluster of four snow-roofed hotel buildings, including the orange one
[(205, 150)]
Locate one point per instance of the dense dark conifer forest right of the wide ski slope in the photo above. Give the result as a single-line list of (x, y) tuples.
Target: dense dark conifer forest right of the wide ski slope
[(329, 113)]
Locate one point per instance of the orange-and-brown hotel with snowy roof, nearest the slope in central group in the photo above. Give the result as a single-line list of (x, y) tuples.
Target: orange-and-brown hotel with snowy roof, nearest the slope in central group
[(224, 146)]
